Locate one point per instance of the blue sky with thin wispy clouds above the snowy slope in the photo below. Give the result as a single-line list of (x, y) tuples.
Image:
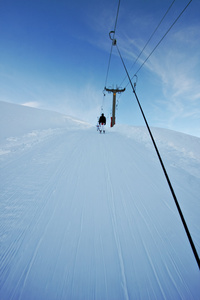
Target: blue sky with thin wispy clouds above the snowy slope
[(54, 55)]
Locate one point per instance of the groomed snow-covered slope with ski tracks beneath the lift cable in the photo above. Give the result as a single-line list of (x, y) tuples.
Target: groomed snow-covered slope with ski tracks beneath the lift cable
[(90, 216)]
